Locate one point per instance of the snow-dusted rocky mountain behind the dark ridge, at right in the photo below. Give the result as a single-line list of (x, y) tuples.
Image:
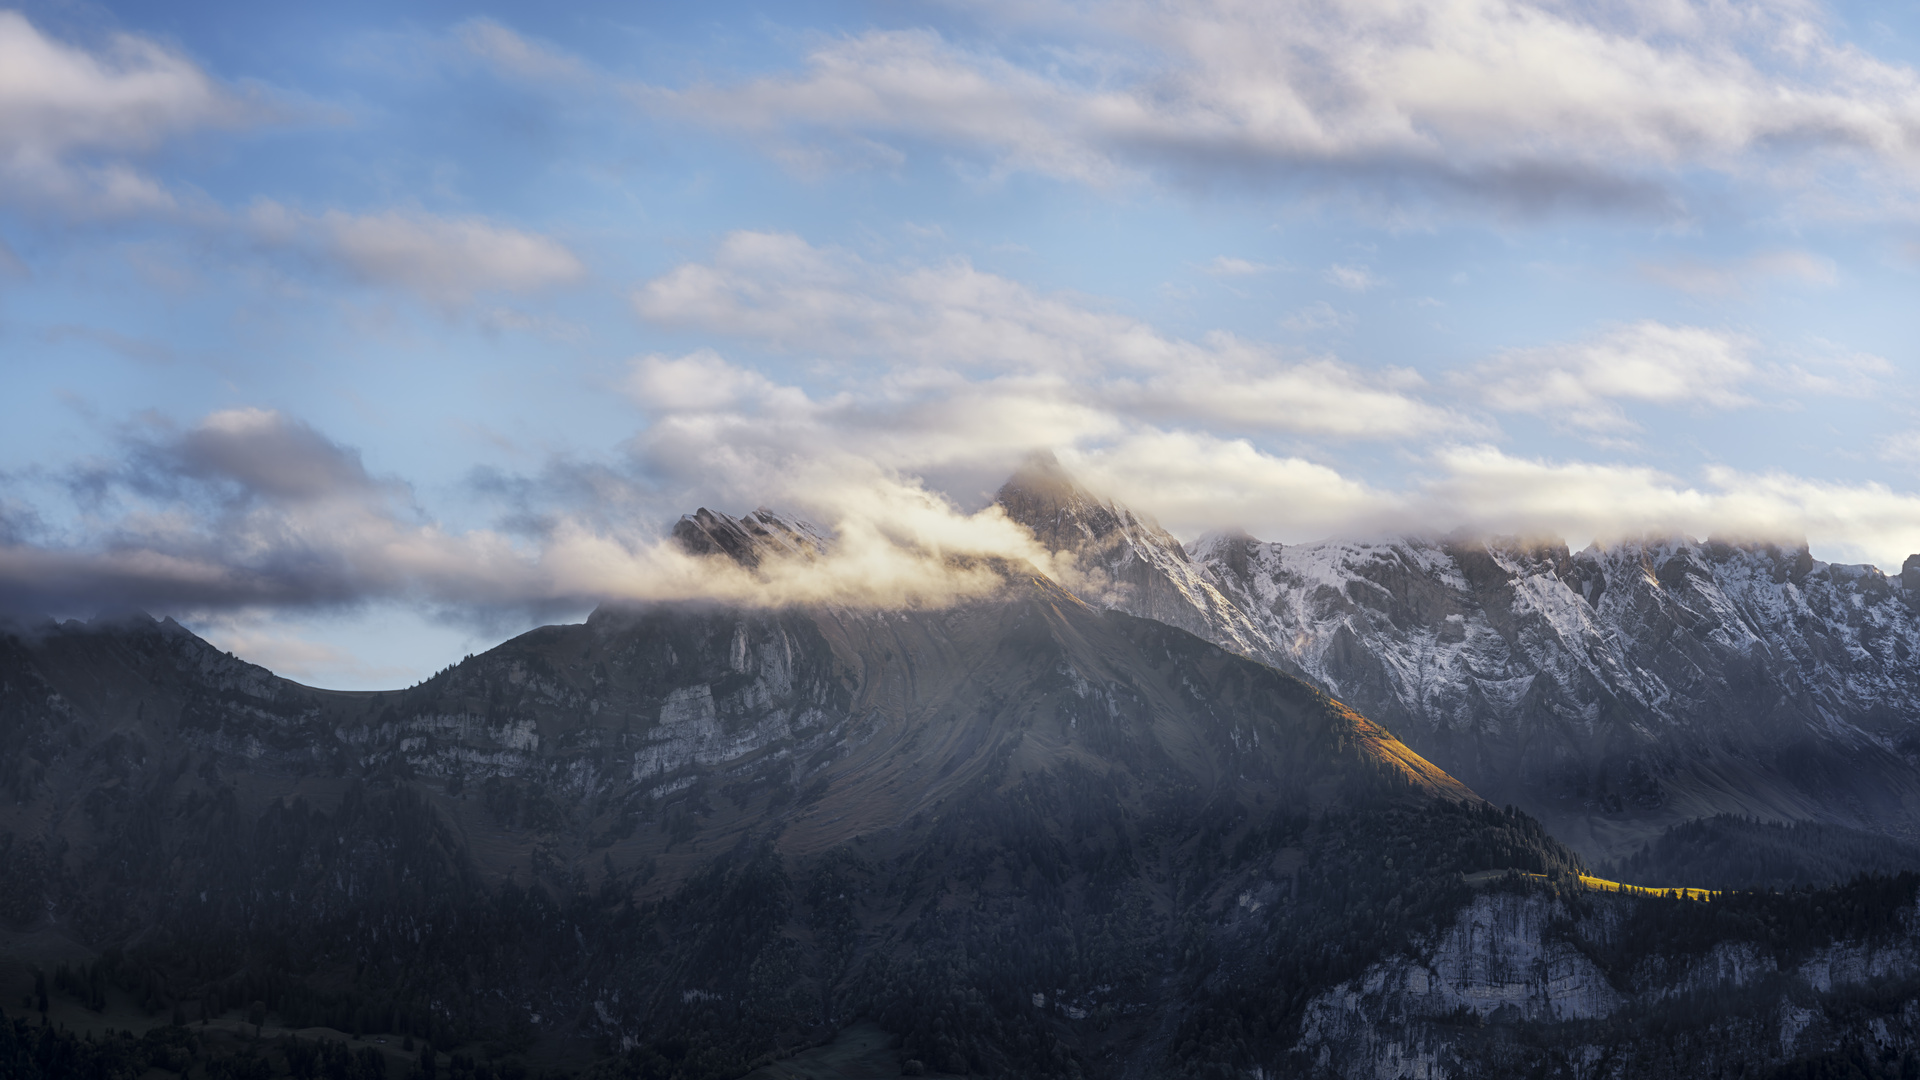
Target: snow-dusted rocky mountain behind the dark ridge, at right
[(1612, 693)]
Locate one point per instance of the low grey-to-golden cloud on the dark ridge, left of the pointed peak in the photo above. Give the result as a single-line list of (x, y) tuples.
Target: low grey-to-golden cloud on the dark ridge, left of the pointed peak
[(252, 510)]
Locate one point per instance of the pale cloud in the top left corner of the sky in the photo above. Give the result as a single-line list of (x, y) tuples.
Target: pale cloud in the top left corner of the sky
[(74, 120)]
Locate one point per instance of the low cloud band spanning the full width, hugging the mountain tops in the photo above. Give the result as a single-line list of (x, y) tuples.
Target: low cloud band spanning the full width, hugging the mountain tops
[(254, 510)]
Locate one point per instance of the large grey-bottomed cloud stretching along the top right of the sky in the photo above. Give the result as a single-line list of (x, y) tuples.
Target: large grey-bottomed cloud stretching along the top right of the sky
[(1508, 103)]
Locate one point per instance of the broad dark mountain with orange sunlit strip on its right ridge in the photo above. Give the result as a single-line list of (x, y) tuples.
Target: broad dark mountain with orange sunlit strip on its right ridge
[(1022, 835)]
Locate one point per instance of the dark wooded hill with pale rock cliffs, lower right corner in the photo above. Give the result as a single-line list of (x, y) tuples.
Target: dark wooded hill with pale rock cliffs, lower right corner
[(1564, 964)]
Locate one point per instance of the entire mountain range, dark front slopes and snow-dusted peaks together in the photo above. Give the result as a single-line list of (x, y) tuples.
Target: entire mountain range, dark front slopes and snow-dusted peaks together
[(1197, 812)]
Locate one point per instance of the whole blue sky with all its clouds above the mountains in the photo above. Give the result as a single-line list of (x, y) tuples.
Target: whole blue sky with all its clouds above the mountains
[(360, 337)]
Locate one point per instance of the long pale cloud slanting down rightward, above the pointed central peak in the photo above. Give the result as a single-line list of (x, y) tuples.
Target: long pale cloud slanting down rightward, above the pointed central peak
[(926, 320)]
